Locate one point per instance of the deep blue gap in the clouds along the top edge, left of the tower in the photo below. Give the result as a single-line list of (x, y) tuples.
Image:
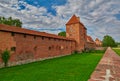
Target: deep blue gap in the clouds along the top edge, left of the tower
[(45, 3)]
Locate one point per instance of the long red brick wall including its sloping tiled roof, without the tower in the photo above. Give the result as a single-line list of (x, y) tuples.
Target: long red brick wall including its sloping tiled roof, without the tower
[(27, 46)]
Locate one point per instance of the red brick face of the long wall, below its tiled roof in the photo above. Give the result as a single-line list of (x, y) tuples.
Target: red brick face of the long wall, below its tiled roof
[(34, 47)]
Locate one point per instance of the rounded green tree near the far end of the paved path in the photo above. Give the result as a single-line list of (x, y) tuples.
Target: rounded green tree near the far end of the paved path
[(108, 41)]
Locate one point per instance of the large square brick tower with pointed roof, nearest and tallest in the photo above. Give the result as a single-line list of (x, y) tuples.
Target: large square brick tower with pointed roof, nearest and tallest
[(76, 30)]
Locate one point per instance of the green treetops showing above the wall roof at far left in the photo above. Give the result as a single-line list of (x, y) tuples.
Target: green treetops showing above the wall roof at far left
[(10, 21)]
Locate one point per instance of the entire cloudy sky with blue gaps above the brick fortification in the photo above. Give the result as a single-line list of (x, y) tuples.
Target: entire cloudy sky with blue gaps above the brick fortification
[(100, 17)]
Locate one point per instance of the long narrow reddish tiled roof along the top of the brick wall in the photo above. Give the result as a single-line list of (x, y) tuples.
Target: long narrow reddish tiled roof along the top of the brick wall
[(30, 32)]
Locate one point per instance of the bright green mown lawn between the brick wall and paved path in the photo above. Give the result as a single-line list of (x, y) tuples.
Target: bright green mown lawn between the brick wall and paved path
[(75, 67)]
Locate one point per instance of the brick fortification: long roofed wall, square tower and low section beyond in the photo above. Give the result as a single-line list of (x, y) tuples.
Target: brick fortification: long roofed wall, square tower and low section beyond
[(28, 45)]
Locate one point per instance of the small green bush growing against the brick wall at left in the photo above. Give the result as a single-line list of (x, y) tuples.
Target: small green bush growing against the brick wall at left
[(5, 57)]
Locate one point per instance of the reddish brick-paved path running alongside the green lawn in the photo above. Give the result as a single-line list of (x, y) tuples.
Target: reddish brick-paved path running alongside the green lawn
[(108, 68)]
